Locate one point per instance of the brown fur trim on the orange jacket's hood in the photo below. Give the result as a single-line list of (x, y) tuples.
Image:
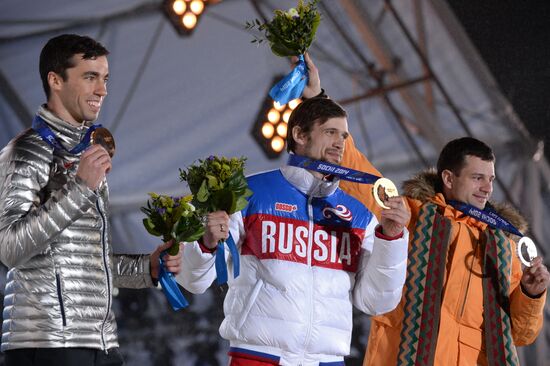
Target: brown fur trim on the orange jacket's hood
[(423, 187)]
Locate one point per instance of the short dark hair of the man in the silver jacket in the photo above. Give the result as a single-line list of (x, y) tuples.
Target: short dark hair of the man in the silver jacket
[(58, 52)]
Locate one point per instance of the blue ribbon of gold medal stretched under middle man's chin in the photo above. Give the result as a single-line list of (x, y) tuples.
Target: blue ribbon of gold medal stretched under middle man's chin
[(332, 169)]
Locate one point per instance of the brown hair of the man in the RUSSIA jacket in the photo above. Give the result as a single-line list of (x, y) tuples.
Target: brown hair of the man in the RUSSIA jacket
[(311, 111)]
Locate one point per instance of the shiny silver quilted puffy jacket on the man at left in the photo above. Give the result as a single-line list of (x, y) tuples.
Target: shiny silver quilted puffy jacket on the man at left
[(54, 238)]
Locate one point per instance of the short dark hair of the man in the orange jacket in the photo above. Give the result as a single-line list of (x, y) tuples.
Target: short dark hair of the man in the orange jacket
[(454, 154)]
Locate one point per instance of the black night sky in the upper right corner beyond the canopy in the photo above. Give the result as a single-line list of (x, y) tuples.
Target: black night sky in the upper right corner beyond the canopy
[(513, 37)]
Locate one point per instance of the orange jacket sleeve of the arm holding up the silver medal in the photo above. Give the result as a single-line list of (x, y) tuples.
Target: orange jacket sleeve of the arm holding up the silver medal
[(526, 313)]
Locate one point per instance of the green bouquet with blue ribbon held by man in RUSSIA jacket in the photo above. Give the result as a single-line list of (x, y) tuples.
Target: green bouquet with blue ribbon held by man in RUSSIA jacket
[(218, 183)]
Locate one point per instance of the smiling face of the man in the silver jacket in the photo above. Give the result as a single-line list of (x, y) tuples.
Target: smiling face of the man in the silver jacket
[(80, 96)]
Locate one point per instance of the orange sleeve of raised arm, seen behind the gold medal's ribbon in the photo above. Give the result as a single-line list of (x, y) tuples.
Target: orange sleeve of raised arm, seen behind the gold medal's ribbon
[(354, 159)]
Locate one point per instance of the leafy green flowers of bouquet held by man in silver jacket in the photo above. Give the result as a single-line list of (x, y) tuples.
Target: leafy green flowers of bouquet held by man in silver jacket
[(172, 218)]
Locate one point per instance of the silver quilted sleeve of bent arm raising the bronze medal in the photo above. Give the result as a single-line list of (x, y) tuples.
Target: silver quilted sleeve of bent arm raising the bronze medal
[(27, 223)]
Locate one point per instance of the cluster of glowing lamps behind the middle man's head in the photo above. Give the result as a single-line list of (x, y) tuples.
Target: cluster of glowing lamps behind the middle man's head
[(271, 126)]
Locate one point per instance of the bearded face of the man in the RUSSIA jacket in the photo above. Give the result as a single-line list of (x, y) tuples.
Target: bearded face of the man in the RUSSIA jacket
[(325, 141)]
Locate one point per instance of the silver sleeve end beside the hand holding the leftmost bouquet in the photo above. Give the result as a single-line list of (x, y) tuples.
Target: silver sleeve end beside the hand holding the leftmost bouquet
[(132, 271)]
